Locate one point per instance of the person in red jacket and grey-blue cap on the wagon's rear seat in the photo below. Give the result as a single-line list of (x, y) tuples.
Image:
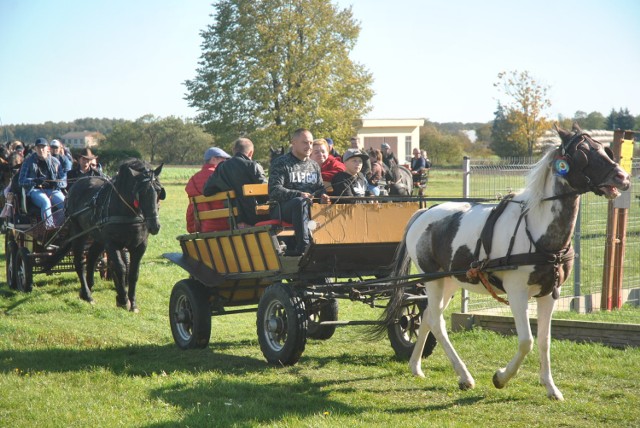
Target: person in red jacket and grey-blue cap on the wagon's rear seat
[(213, 157)]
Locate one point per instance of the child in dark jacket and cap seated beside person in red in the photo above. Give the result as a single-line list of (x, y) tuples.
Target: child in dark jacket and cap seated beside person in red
[(351, 182)]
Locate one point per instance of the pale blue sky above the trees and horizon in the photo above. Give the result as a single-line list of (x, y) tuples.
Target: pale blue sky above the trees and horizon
[(68, 59)]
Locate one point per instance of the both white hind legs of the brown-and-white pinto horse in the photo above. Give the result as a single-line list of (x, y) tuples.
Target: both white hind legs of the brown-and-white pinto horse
[(439, 293)]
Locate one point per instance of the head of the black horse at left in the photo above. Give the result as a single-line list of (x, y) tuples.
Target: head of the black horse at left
[(147, 192)]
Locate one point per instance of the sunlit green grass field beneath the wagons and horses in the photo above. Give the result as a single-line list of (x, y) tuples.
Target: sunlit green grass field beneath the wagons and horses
[(64, 363)]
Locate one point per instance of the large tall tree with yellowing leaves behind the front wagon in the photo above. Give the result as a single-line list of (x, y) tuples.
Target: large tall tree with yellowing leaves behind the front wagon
[(268, 67)]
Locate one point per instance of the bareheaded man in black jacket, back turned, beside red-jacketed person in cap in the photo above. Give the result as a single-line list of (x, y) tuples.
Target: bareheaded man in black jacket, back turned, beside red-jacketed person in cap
[(234, 173)]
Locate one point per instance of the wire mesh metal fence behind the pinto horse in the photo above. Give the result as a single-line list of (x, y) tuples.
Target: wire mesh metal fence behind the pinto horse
[(581, 292)]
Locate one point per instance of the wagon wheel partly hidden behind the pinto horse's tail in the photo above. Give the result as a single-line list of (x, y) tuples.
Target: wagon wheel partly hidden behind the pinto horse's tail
[(404, 333)]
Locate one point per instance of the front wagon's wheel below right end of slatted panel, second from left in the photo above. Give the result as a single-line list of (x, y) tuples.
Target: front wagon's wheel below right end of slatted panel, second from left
[(281, 325)]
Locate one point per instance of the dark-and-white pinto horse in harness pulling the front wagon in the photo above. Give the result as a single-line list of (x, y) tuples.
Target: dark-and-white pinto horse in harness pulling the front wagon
[(535, 229)]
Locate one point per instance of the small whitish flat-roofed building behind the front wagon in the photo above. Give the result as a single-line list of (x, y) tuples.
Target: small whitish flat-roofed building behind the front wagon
[(402, 135)]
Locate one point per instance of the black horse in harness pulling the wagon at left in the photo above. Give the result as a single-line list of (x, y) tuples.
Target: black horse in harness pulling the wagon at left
[(115, 214)]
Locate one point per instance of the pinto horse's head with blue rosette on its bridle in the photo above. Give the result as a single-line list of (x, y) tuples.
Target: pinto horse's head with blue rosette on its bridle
[(588, 166)]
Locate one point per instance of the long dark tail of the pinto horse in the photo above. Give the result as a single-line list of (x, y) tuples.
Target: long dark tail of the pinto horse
[(402, 267)]
